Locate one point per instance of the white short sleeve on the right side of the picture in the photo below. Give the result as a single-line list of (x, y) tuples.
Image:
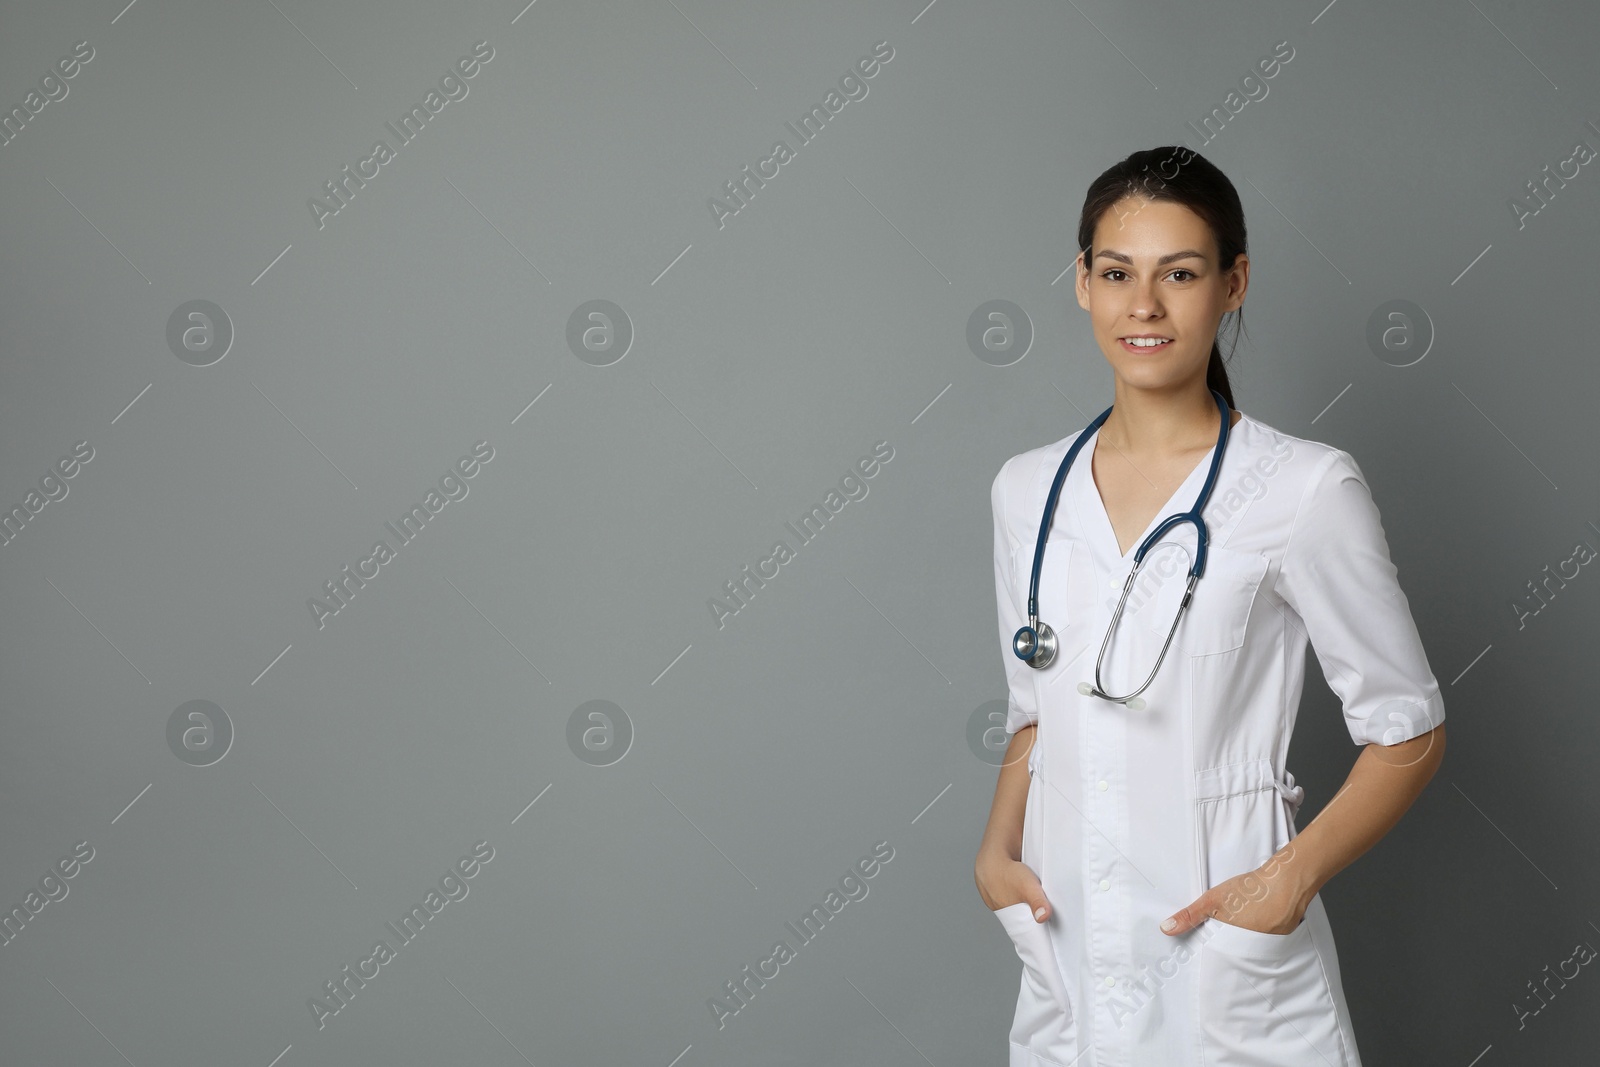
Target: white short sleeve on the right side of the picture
[(1338, 577)]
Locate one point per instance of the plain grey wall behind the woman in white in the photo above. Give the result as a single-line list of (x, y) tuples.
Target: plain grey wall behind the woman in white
[(769, 356)]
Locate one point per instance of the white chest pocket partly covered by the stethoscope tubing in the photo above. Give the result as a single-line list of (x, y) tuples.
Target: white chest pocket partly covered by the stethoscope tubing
[(1218, 615)]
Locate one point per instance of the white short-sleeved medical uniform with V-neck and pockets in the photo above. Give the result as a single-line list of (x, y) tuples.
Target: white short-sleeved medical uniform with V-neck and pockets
[(1132, 815)]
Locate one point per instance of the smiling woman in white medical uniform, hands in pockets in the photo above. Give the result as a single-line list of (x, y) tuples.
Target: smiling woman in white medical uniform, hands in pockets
[(1143, 855)]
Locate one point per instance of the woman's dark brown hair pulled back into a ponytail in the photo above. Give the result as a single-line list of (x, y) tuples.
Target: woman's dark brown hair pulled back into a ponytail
[(1183, 177)]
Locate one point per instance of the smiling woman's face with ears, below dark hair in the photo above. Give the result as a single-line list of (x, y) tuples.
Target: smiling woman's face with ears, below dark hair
[(1156, 273)]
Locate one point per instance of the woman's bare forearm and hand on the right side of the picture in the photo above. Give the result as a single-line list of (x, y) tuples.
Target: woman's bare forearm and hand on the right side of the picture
[(1385, 781)]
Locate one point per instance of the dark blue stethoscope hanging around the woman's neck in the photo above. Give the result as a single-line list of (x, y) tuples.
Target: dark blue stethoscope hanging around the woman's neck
[(1036, 644)]
